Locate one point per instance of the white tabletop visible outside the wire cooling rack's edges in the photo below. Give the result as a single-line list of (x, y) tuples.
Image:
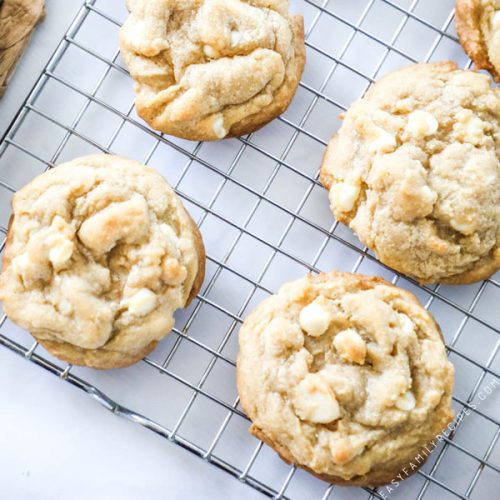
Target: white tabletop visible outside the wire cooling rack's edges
[(55, 442)]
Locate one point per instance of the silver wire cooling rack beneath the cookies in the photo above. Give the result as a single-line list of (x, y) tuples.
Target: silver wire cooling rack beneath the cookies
[(265, 220)]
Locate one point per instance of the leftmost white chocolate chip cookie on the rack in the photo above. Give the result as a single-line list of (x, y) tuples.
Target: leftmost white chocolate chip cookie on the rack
[(100, 253)]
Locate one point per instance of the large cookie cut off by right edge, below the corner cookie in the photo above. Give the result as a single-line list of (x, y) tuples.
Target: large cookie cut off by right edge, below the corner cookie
[(414, 171)]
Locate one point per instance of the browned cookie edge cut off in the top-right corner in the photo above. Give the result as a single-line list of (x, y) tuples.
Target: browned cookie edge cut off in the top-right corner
[(478, 28)]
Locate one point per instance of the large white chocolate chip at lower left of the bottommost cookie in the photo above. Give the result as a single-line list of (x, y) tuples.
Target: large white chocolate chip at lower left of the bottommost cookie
[(314, 401)]
